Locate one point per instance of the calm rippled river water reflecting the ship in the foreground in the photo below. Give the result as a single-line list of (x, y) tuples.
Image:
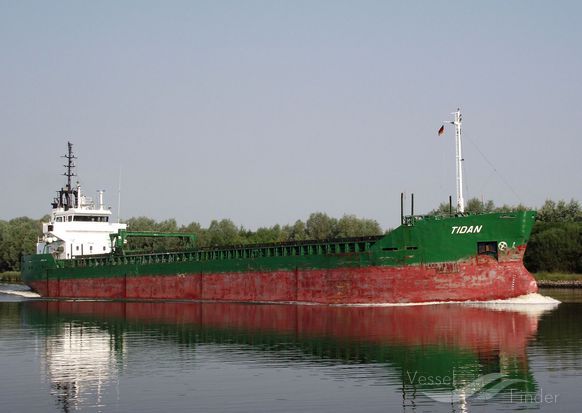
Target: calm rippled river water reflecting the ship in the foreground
[(209, 357)]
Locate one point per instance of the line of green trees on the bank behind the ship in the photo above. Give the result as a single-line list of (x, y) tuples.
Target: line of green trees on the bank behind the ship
[(555, 244)]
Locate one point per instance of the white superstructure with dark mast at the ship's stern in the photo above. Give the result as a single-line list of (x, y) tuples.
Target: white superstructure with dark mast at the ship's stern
[(77, 227)]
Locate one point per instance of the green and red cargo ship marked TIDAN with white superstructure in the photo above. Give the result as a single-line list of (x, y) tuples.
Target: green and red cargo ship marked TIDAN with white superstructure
[(453, 257)]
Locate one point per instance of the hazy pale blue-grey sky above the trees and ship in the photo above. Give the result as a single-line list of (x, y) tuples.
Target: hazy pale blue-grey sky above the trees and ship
[(265, 111)]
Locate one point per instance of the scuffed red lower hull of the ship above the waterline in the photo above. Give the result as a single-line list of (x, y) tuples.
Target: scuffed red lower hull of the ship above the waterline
[(480, 278)]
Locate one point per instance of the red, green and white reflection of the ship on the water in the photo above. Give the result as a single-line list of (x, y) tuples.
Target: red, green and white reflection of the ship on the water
[(420, 349)]
